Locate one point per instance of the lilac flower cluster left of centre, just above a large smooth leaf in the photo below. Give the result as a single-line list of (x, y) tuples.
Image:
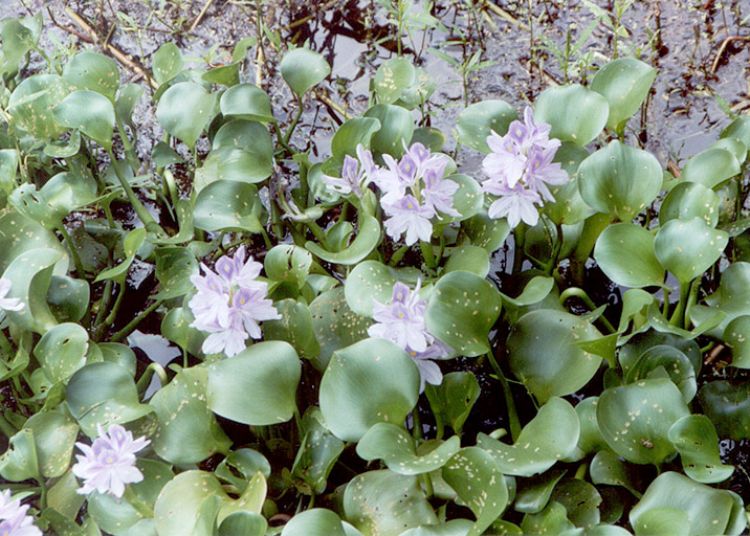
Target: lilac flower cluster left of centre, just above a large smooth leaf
[(230, 303)]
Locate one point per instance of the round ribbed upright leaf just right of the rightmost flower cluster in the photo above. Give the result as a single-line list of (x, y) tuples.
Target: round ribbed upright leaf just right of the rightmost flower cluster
[(619, 180)]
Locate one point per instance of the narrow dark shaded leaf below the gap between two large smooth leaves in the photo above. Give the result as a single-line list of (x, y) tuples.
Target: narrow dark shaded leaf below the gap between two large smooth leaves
[(318, 452)]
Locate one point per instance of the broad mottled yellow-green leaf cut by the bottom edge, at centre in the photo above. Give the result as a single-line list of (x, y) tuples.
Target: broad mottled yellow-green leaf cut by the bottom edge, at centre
[(386, 503)]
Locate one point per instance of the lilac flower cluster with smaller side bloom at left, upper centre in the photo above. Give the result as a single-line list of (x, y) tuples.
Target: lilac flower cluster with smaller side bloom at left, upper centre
[(414, 189)]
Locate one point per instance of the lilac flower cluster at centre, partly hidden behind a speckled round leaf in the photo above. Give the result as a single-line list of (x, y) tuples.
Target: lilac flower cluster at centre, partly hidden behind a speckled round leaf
[(402, 322)]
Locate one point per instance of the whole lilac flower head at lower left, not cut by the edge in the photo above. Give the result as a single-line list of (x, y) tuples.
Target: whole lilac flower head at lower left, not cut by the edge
[(108, 465)]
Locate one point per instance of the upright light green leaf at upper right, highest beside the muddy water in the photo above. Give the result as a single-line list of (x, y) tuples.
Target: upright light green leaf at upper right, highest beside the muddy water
[(625, 83)]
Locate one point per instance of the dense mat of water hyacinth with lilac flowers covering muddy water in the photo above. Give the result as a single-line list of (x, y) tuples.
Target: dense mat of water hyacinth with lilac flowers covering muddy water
[(524, 323)]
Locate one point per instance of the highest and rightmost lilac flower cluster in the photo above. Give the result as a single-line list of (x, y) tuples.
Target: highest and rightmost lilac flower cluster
[(519, 169)]
